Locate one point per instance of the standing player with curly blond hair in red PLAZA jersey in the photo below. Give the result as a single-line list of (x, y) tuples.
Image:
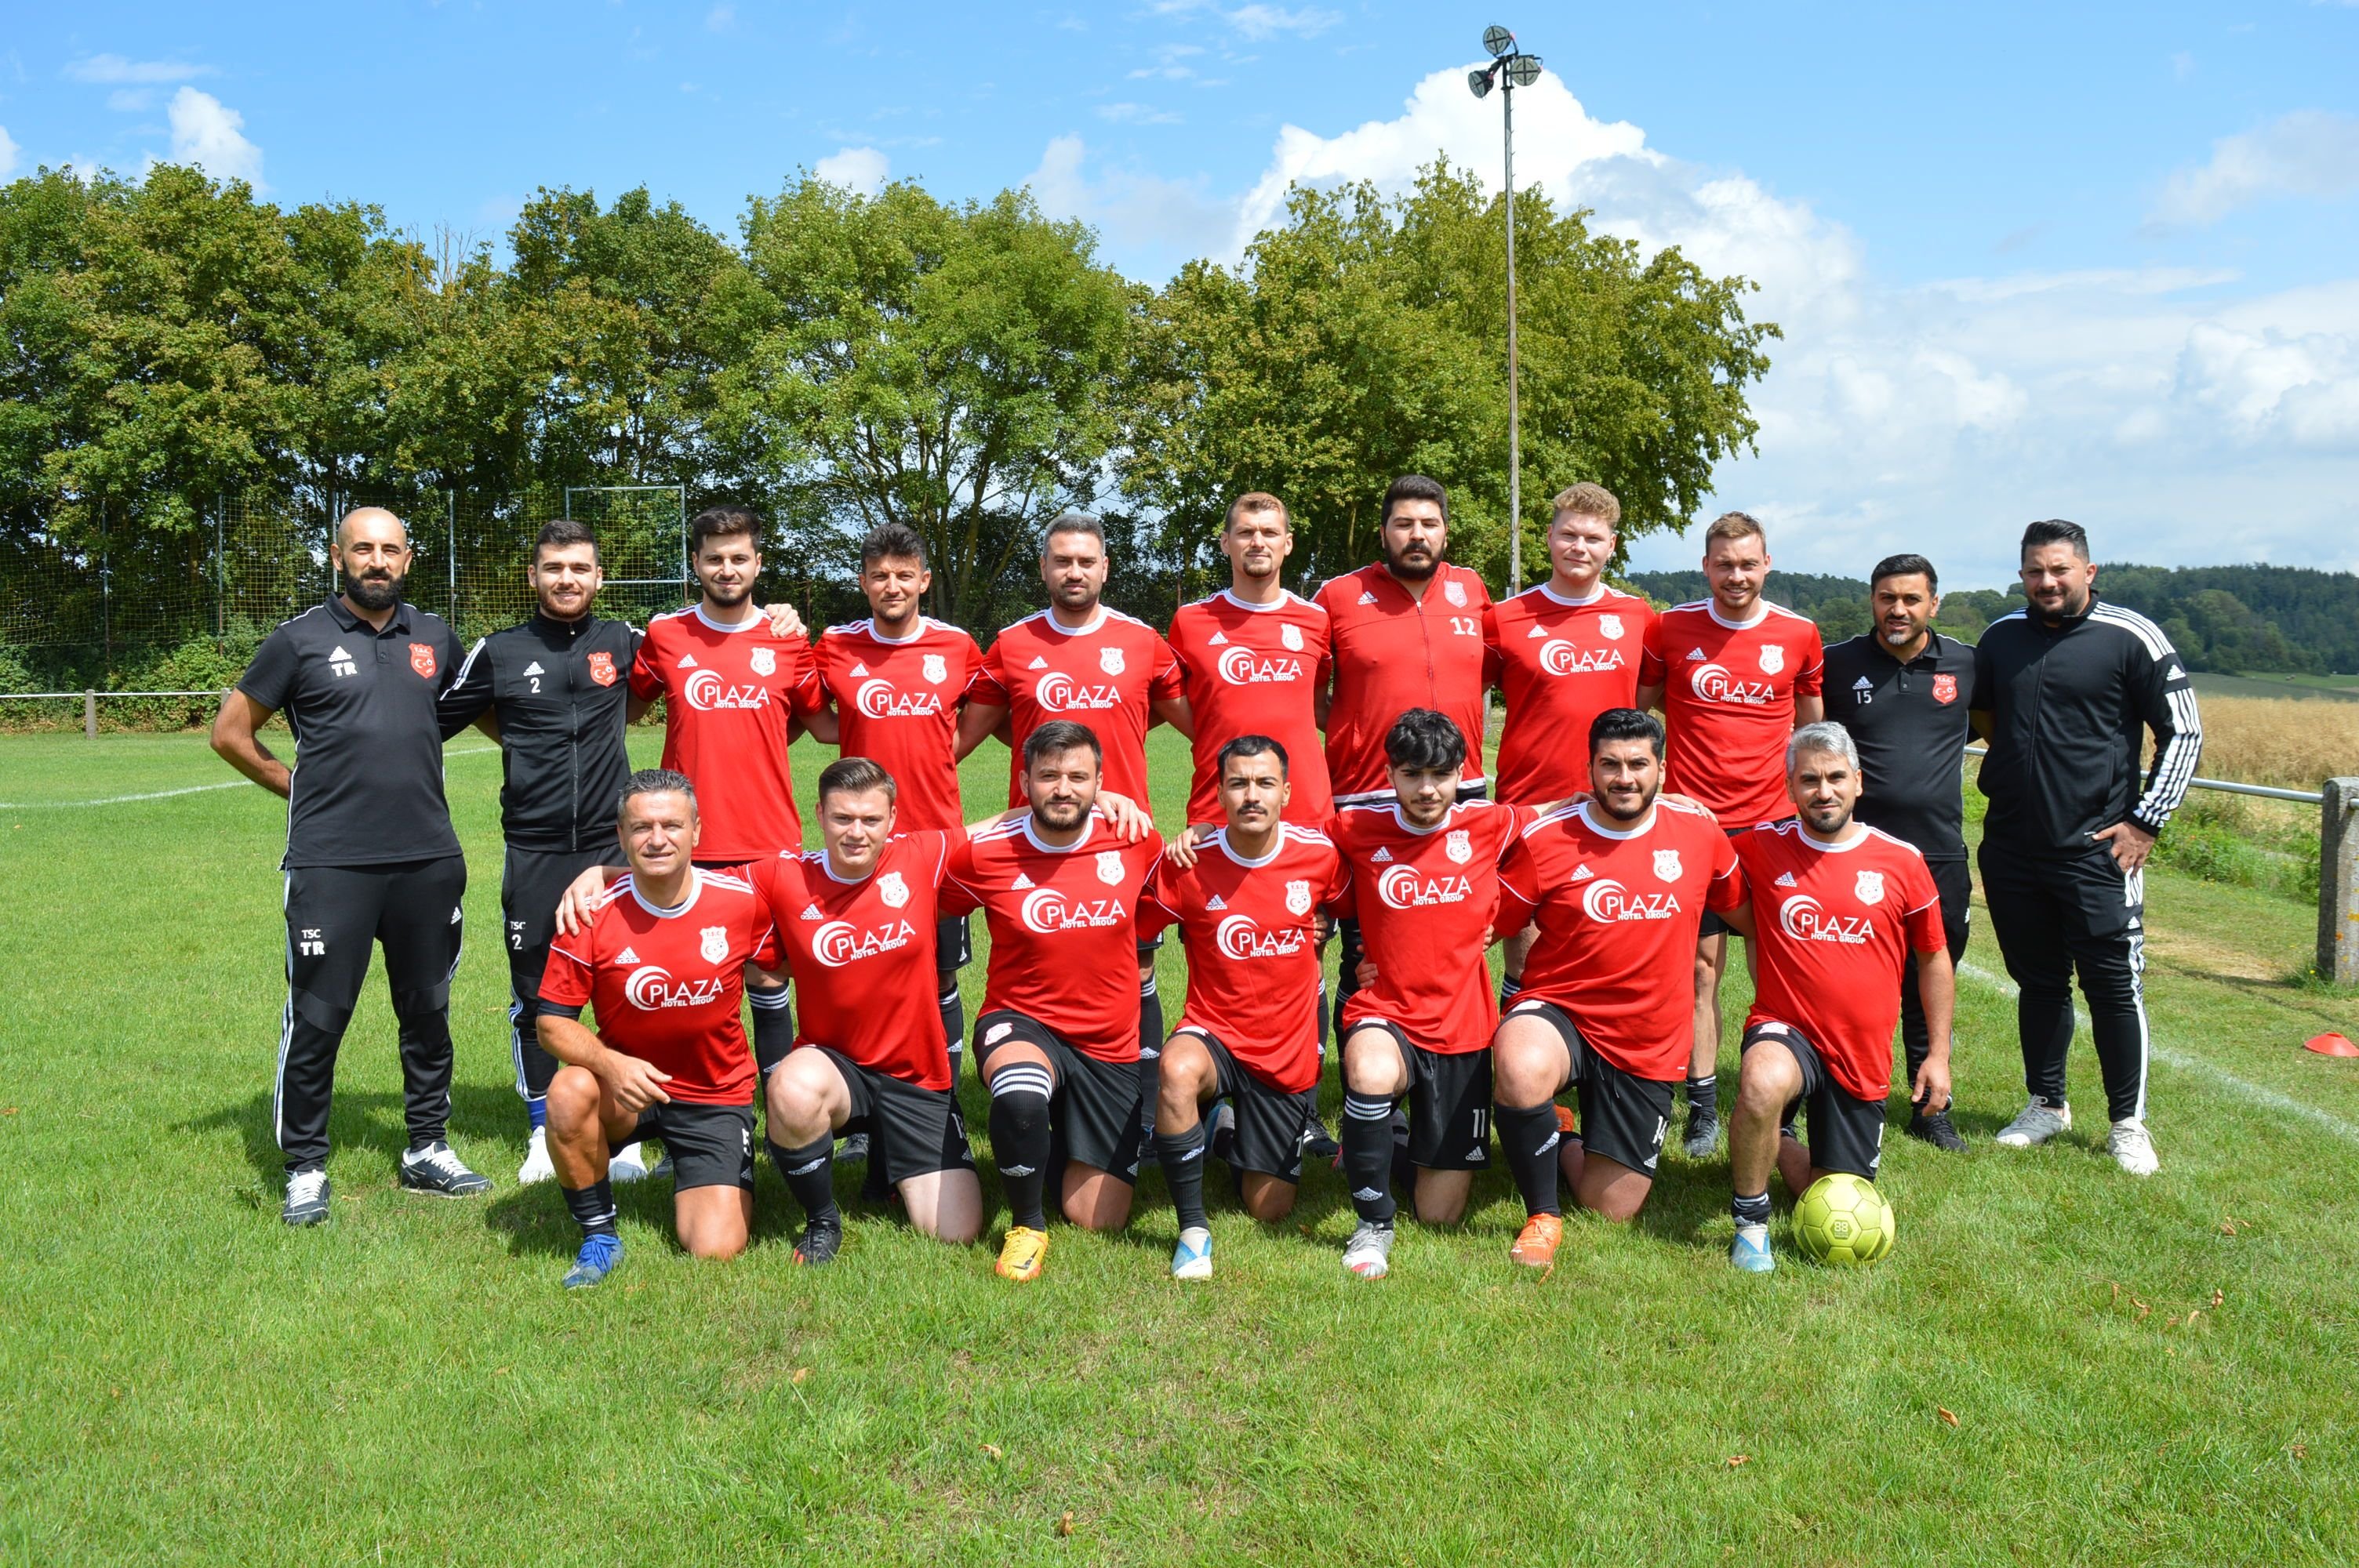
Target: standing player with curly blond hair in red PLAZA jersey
[(1563, 652)]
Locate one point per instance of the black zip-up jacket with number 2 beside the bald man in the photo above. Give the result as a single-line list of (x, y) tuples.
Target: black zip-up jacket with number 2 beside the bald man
[(560, 692)]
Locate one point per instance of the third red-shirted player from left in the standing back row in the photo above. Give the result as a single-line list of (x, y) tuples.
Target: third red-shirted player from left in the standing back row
[(1091, 666)]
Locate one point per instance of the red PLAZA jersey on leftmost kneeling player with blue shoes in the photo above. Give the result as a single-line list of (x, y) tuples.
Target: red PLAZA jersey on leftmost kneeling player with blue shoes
[(666, 984)]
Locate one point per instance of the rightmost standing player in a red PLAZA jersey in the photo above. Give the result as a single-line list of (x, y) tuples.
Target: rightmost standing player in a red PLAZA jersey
[(1735, 676)]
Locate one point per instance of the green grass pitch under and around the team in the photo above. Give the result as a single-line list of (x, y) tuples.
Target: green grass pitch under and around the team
[(2058, 1364)]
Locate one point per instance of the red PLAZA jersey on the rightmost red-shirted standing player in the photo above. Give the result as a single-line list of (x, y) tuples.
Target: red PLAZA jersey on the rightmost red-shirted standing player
[(1728, 704)]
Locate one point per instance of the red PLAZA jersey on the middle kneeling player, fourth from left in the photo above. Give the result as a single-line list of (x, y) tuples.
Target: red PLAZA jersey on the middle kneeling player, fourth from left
[(1254, 947)]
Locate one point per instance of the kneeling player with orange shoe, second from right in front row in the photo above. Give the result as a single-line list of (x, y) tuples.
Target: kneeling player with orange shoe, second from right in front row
[(1617, 885)]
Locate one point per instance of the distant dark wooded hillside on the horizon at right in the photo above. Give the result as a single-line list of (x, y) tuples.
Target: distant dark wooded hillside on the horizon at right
[(2226, 619)]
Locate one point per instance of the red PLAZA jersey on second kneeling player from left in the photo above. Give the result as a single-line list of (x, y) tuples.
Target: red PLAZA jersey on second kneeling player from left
[(865, 956)]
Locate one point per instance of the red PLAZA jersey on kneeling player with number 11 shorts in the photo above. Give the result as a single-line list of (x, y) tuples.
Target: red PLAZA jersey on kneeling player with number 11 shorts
[(1426, 900)]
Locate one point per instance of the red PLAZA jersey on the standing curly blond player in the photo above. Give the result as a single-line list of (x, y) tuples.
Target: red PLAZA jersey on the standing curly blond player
[(1560, 664)]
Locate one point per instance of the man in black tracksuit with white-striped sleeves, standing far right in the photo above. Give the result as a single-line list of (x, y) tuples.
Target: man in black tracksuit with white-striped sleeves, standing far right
[(2068, 690)]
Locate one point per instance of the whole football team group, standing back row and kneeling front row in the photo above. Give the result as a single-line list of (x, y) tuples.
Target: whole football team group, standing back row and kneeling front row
[(1667, 791)]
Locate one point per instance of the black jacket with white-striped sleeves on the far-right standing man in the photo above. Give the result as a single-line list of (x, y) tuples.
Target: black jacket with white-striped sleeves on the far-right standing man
[(2070, 709)]
